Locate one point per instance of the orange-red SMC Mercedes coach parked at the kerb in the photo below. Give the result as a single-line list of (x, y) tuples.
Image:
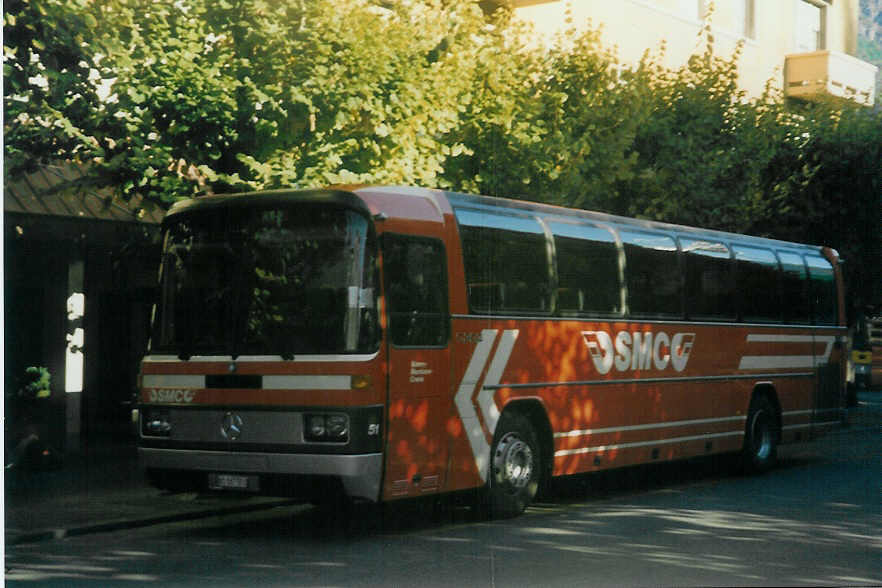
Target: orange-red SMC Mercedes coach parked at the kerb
[(395, 342)]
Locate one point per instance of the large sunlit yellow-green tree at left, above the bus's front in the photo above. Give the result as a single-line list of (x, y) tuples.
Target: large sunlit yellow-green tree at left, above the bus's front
[(246, 94)]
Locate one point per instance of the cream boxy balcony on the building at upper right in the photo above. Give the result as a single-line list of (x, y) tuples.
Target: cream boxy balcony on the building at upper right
[(829, 73)]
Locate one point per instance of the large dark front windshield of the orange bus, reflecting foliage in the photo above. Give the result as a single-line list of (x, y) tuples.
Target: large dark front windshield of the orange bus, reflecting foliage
[(277, 280)]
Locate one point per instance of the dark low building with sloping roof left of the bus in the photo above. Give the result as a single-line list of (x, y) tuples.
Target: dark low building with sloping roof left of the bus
[(79, 283)]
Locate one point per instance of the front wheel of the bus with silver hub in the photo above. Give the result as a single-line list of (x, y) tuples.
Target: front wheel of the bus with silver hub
[(515, 466)]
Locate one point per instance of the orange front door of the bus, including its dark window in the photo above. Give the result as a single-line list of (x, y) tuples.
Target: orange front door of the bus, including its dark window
[(415, 280)]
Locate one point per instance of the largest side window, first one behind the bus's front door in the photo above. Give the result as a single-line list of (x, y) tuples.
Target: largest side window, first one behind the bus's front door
[(506, 262)]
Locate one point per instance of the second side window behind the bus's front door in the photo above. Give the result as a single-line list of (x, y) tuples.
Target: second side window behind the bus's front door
[(587, 270)]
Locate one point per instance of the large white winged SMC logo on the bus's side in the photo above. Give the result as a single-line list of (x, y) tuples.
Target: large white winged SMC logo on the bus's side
[(638, 350)]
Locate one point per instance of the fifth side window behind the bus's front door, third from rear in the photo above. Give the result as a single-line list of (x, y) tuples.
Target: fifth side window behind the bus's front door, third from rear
[(757, 284)]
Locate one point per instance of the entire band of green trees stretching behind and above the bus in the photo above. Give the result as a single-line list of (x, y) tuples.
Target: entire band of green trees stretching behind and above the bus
[(172, 100)]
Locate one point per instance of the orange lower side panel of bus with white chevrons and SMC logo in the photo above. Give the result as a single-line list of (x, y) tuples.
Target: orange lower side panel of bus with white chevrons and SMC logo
[(621, 393)]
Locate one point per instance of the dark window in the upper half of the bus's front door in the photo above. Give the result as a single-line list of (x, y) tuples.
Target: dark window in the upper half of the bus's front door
[(416, 290)]
